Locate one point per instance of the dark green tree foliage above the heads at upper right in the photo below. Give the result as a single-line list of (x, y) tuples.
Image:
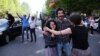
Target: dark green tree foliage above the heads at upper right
[(77, 5)]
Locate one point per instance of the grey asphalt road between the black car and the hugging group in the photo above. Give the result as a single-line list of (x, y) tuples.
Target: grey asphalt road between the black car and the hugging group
[(17, 48)]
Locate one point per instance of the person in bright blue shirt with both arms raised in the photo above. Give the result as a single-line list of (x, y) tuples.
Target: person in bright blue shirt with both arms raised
[(25, 25)]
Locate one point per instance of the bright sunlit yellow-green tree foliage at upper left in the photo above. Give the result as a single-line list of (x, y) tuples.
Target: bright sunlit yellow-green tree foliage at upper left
[(13, 6)]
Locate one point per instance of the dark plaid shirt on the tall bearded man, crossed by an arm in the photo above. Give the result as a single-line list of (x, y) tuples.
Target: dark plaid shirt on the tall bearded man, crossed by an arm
[(61, 26)]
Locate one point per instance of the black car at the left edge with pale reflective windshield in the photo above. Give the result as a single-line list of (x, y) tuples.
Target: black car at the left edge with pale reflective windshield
[(9, 33)]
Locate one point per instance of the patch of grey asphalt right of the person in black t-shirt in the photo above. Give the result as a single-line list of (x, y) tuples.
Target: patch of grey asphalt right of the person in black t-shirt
[(95, 44)]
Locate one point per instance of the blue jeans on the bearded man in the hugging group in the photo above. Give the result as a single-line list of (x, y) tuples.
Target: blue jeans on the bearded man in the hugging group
[(65, 47)]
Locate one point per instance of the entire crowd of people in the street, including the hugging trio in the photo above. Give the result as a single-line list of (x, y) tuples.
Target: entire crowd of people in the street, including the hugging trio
[(64, 35)]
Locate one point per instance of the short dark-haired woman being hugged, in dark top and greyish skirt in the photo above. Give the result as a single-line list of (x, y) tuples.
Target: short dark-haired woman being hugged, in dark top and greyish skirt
[(50, 39)]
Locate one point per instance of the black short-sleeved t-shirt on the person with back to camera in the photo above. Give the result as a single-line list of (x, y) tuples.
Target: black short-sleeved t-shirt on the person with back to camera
[(79, 37)]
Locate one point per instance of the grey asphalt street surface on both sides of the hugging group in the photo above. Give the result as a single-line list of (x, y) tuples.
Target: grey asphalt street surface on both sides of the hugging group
[(16, 48)]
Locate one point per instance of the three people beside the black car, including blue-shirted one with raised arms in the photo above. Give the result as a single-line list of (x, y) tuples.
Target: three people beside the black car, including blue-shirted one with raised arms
[(27, 25)]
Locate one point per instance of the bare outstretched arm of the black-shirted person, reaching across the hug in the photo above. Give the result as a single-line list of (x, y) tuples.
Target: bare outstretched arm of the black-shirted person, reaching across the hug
[(62, 32)]
